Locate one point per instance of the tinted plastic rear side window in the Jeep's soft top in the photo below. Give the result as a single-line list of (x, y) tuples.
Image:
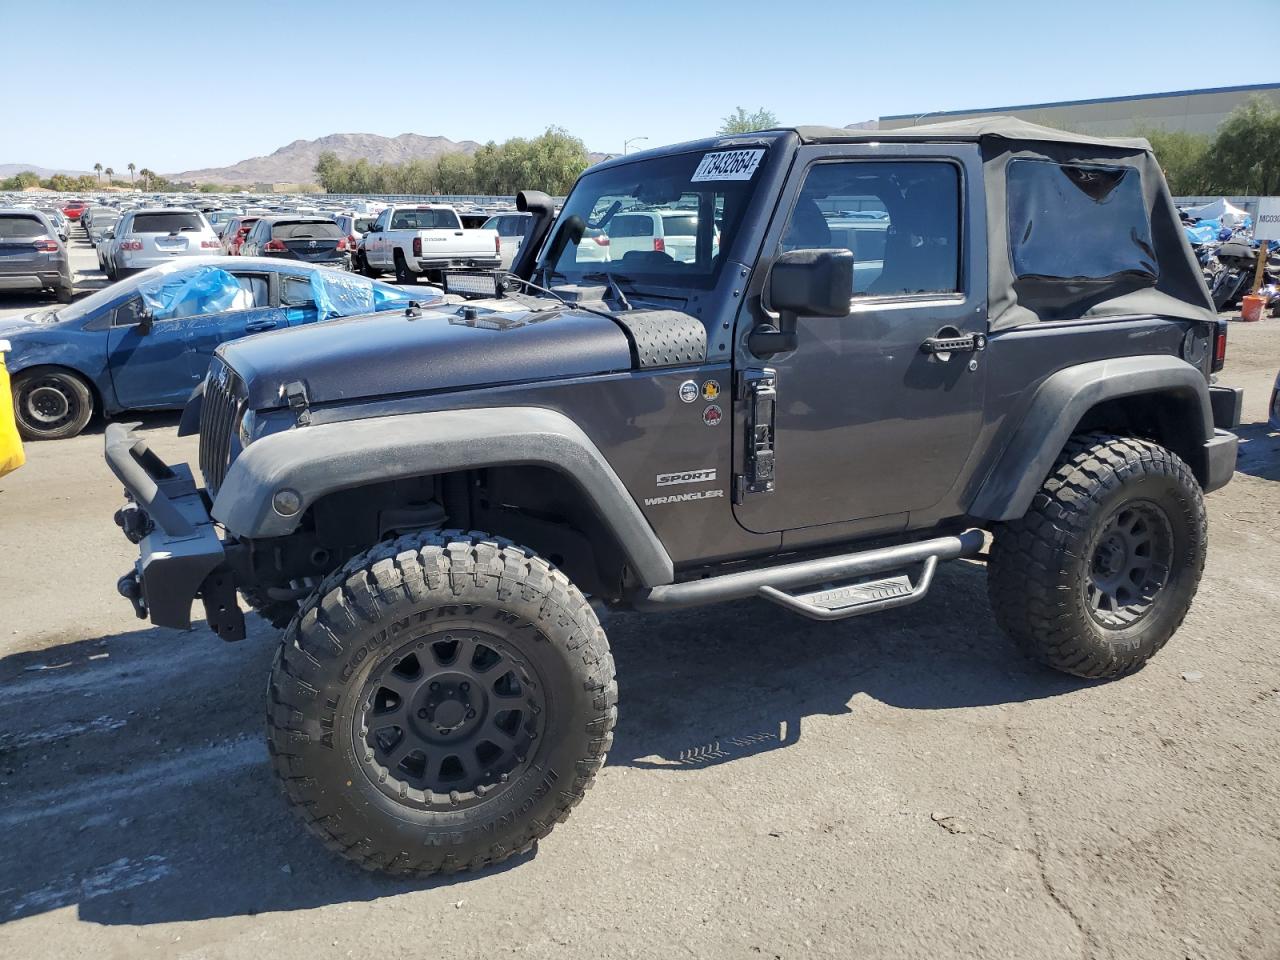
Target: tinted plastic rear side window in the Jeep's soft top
[(1078, 222)]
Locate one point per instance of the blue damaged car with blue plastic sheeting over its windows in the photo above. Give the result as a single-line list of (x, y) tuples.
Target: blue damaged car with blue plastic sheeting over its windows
[(145, 344)]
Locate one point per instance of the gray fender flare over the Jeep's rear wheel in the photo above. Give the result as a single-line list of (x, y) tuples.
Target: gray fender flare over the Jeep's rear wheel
[(1059, 406)]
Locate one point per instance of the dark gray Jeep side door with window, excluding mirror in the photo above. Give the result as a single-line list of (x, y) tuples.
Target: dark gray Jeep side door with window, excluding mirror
[(868, 427)]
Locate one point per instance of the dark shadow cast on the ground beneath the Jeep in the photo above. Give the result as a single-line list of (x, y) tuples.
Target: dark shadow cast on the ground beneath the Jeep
[(135, 785)]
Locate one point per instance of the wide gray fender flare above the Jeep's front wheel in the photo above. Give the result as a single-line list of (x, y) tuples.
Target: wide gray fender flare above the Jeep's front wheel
[(323, 459)]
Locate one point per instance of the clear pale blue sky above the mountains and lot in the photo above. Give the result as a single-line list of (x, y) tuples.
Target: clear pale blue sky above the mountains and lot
[(191, 84)]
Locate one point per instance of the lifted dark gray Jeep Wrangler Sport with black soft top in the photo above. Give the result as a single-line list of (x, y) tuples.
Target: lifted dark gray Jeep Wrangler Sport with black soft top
[(806, 365)]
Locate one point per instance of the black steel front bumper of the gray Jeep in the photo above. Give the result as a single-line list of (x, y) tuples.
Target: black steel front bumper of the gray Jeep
[(181, 556)]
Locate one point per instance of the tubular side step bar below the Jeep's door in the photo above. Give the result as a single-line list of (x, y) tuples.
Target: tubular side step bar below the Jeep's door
[(774, 583)]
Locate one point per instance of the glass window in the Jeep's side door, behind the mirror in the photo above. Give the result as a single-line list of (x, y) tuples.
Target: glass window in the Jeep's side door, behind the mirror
[(899, 220)]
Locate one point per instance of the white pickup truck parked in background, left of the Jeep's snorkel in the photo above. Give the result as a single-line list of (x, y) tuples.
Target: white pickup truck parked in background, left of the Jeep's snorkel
[(426, 239)]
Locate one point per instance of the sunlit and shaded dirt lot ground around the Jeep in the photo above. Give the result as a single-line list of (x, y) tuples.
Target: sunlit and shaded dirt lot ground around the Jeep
[(902, 787)]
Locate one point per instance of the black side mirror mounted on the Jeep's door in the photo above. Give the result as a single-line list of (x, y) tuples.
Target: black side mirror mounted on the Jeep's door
[(803, 282)]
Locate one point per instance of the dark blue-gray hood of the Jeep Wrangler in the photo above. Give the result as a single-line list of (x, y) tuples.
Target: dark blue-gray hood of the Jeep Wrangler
[(382, 355)]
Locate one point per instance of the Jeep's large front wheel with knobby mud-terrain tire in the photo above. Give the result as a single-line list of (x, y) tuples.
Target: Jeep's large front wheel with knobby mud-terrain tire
[(441, 703)]
